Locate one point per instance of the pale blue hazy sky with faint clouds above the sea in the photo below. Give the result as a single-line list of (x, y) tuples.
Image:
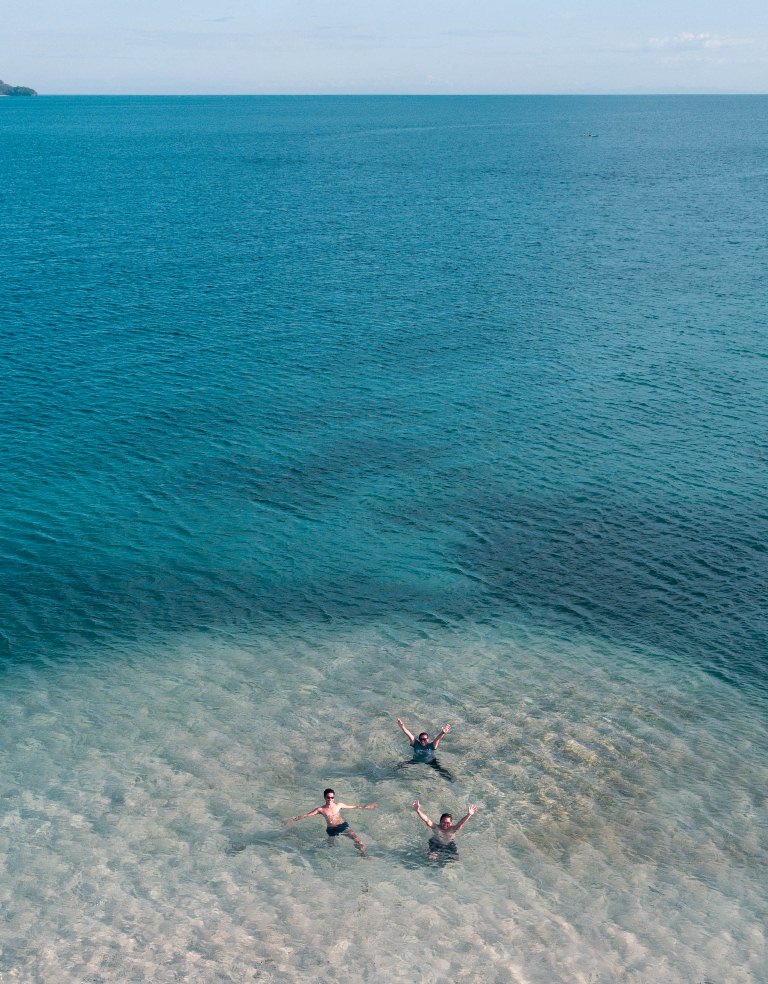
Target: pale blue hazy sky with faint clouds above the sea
[(170, 47)]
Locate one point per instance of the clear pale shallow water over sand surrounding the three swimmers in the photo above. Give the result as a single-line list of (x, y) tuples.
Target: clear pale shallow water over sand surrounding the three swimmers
[(620, 835)]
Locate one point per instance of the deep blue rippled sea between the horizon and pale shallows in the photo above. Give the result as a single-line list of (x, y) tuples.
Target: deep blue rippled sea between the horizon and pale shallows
[(345, 358)]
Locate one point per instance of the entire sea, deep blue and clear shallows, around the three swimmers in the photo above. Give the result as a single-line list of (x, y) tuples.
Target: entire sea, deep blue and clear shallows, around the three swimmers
[(319, 412)]
